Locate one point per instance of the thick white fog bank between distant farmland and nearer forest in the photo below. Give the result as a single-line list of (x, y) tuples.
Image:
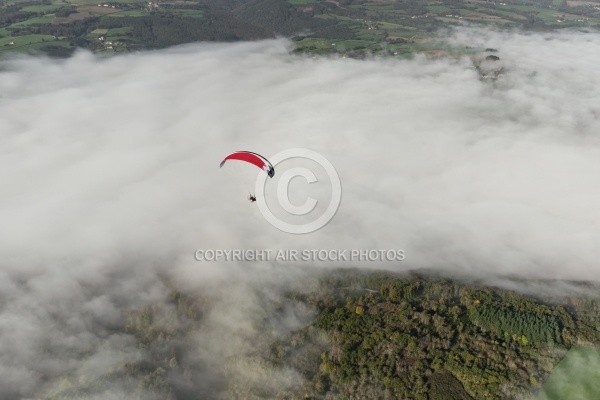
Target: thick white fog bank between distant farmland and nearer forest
[(109, 174)]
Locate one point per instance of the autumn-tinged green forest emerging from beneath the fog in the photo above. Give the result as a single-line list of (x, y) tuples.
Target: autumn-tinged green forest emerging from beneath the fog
[(375, 335)]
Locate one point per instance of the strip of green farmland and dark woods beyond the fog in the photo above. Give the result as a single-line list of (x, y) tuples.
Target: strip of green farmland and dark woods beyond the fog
[(352, 28)]
